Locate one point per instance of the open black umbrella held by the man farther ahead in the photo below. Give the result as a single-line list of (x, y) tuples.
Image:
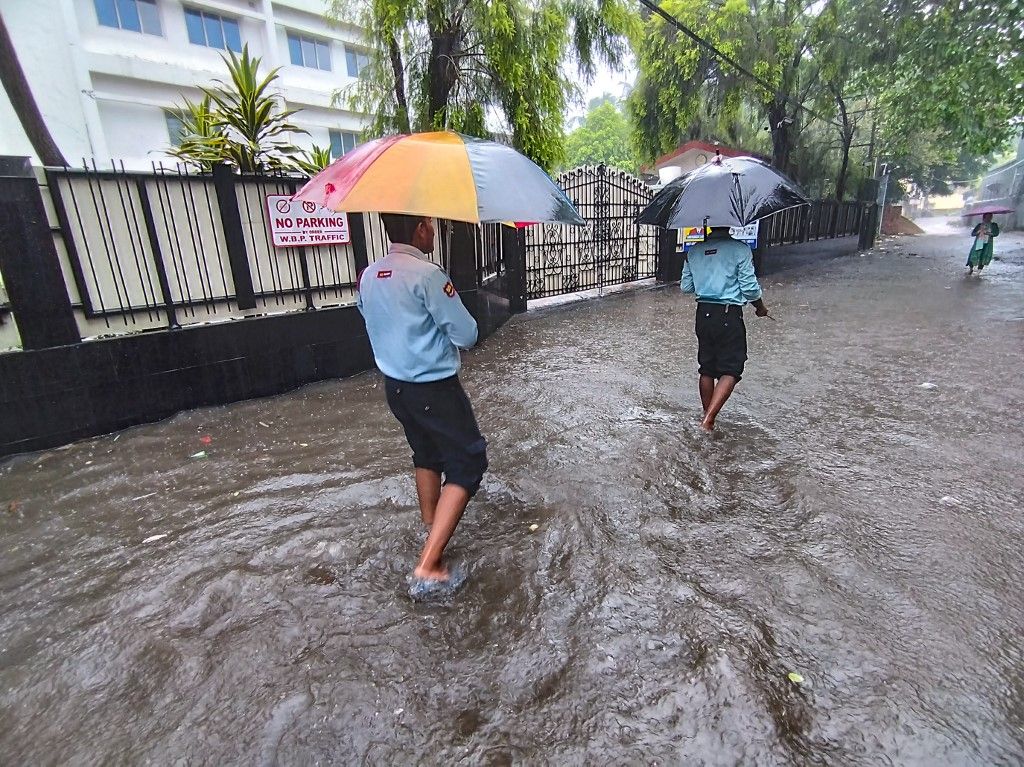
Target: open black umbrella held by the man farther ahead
[(728, 192)]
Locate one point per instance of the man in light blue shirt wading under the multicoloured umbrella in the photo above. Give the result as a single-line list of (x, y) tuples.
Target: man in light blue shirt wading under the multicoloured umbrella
[(417, 324)]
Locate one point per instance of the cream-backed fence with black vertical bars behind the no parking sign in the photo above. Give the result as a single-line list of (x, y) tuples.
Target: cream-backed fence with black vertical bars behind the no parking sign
[(175, 247)]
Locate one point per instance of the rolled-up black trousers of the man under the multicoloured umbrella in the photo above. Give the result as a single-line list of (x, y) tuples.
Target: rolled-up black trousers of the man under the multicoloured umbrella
[(441, 429)]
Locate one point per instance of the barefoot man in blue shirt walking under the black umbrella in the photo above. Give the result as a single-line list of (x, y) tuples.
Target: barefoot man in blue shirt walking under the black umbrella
[(720, 273)]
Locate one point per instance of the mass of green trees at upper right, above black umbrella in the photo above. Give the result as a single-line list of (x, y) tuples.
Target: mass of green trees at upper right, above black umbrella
[(929, 87)]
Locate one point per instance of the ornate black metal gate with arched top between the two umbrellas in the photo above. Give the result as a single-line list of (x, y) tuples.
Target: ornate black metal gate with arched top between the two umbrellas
[(612, 249)]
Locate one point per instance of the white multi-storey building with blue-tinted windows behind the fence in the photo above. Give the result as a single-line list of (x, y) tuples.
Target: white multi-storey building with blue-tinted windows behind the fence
[(105, 73)]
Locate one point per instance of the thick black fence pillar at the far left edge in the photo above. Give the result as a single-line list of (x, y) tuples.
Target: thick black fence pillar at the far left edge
[(29, 262)]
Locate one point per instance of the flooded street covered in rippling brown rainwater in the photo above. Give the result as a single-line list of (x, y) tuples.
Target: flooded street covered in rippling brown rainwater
[(846, 524)]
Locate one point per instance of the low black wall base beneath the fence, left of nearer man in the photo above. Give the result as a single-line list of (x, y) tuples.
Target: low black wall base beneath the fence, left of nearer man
[(54, 397)]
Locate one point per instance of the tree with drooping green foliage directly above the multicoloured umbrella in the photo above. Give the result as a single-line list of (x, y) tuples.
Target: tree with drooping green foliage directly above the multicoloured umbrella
[(454, 64)]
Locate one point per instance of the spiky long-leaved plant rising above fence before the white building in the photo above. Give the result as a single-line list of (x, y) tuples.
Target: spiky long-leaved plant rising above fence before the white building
[(240, 122)]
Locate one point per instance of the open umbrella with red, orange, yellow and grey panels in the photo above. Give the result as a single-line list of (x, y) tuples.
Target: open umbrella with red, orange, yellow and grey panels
[(443, 176)]
